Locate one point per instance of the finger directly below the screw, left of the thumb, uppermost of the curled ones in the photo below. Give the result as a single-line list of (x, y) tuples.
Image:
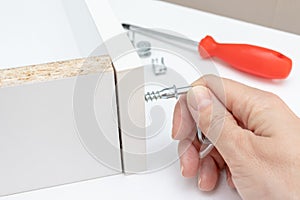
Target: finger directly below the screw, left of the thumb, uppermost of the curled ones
[(183, 124)]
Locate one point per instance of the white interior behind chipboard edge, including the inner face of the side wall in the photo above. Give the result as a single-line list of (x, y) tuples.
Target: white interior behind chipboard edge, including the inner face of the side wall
[(35, 32)]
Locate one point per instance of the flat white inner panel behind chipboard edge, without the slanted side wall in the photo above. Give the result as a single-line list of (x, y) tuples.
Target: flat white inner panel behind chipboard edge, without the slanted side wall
[(24, 36)]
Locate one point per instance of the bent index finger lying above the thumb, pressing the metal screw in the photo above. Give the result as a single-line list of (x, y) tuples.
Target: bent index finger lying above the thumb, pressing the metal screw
[(252, 107)]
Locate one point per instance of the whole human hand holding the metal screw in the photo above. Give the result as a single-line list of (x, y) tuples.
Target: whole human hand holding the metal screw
[(256, 138)]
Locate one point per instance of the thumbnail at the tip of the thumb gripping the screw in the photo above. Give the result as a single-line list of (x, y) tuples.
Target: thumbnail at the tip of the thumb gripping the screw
[(198, 98)]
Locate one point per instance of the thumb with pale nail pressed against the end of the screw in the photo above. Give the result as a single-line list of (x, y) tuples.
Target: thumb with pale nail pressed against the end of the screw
[(216, 123)]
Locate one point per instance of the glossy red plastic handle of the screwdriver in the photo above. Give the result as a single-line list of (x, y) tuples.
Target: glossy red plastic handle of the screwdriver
[(255, 60)]
